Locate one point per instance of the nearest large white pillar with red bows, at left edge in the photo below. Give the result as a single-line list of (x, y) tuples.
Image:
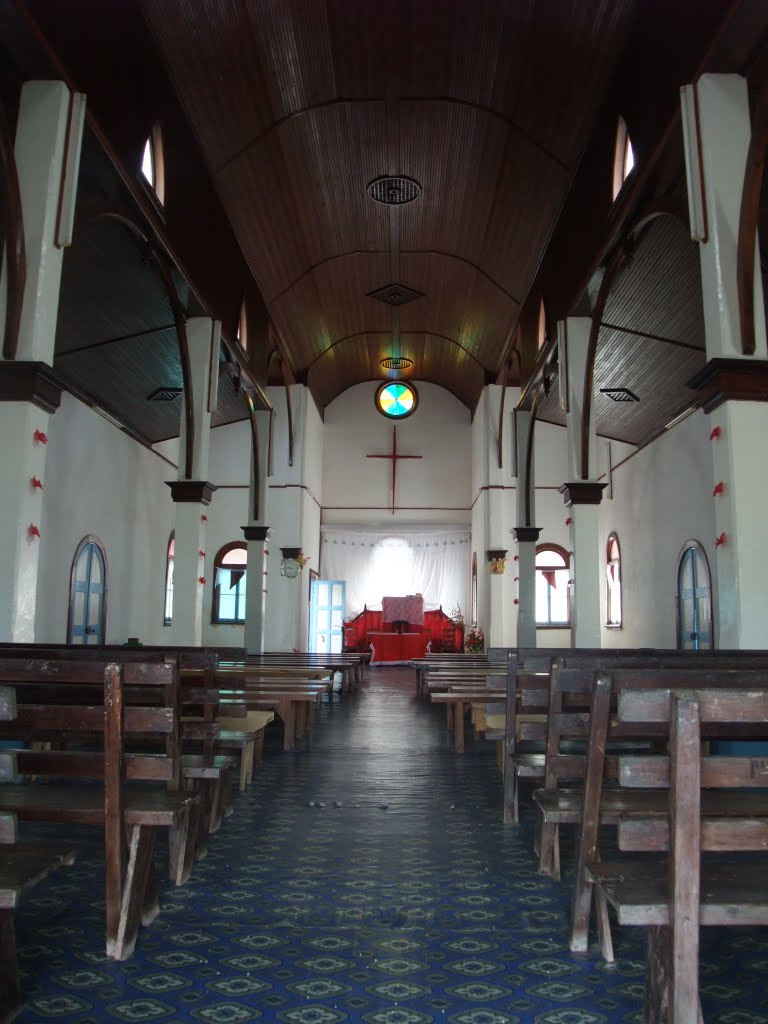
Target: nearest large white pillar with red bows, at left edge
[(29, 394)]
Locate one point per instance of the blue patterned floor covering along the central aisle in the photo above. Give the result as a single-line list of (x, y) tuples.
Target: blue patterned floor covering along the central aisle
[(398, 899)]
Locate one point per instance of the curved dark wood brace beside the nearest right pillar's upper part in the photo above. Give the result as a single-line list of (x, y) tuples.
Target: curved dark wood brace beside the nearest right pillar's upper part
[(748, 224)]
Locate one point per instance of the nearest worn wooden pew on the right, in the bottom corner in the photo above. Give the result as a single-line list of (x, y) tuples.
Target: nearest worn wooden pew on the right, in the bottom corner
[(674, 898)]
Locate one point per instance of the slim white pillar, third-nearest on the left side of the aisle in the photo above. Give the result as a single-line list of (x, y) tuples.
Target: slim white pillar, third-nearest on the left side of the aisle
[(258, 535)]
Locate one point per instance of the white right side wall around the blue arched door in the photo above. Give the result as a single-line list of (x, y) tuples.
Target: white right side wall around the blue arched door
[(662, 498)]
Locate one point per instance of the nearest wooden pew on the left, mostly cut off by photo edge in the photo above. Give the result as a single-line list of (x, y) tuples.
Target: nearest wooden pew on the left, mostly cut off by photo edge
[(22, 868)]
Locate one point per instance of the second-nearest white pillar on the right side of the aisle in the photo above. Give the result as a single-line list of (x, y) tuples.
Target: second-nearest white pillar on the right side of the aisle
[(582, 494)]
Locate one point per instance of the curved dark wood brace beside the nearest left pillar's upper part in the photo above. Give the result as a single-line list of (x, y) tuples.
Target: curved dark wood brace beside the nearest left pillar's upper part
[(12, 234)]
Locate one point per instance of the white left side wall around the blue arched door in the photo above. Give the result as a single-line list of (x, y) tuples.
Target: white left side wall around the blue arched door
[(100, 482)]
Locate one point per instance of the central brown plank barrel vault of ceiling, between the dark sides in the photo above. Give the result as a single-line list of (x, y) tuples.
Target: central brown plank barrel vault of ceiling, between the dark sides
[(298, 105)]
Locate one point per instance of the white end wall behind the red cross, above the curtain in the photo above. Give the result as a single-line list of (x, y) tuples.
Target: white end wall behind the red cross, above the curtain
[(437, 489)]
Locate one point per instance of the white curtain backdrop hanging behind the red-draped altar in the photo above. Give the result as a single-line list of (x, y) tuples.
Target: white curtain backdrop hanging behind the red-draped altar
[(397, 563)]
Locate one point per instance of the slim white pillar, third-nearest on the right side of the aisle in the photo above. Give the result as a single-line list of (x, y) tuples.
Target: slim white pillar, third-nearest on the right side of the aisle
[(526, 534)]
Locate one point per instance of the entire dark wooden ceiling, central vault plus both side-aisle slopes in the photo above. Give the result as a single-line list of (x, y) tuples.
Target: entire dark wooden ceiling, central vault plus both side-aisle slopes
[(276, 117)]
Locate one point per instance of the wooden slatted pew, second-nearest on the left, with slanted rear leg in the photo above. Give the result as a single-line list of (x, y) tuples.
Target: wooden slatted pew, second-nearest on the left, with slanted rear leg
[(87, 701)]
